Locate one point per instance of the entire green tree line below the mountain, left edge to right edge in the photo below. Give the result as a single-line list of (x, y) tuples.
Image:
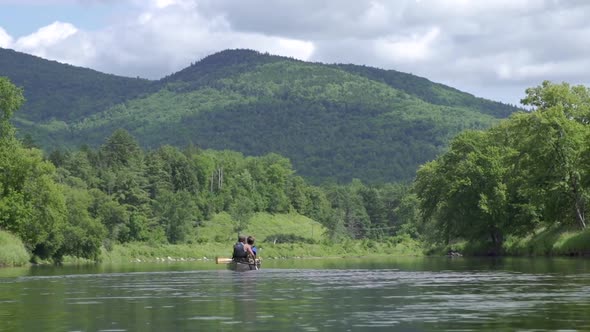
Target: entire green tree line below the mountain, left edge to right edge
[(529, 172)]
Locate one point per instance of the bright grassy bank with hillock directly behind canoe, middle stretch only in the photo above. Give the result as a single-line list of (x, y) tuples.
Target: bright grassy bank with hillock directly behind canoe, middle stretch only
[(278, 236)]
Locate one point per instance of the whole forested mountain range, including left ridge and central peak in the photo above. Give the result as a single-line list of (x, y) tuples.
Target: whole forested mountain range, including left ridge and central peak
[(335, 122)]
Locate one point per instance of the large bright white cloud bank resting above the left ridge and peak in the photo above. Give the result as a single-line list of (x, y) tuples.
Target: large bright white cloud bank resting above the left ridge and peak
[(162, 38)]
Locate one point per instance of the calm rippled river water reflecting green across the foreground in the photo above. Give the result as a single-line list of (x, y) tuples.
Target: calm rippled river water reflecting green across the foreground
[(401, 294)]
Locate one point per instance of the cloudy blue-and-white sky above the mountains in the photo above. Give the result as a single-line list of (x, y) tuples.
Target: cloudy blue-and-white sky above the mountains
[(491, 48)]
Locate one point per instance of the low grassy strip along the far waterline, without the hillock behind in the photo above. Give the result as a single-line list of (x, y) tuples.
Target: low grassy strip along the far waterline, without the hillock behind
[(546, 242)]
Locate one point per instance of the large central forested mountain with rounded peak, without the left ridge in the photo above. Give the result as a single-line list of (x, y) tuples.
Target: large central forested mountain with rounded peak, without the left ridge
[(333, 124)]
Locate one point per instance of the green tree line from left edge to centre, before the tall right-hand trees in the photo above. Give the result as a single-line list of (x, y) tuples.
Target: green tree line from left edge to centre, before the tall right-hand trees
[(73, 202)]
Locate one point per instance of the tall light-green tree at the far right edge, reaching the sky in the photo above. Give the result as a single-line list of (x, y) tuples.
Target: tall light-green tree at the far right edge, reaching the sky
[(553, 141)]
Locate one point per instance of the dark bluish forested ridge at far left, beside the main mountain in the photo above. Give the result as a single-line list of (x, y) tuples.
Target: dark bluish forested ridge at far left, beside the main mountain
[(63, 92)]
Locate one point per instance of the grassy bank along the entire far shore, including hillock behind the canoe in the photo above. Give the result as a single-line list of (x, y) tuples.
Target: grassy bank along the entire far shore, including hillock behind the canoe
[(295, 236)]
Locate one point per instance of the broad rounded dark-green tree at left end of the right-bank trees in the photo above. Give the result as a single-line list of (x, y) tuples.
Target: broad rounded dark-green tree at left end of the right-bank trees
[(467, 192)]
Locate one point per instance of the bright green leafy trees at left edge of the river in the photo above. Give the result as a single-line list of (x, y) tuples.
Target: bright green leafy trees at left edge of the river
[(33, 205)]
